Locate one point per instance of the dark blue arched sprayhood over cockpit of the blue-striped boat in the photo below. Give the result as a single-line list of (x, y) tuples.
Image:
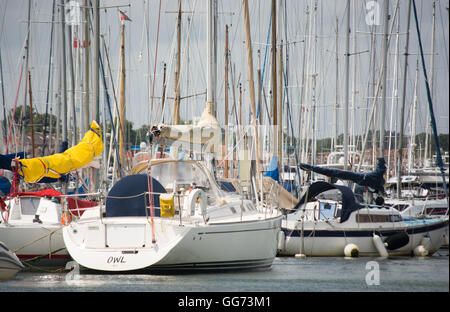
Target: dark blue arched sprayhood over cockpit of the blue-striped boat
[(349, 203)]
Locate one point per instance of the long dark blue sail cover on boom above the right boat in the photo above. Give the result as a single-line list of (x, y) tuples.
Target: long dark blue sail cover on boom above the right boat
[(374, 179)]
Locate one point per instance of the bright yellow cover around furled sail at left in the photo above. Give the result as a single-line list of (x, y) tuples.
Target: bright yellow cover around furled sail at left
[(53, 166)]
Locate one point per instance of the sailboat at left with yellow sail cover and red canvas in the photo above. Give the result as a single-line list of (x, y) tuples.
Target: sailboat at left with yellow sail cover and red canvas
[(31, 222)]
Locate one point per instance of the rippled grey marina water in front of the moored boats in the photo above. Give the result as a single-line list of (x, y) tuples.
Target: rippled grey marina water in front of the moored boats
[(287, 274)]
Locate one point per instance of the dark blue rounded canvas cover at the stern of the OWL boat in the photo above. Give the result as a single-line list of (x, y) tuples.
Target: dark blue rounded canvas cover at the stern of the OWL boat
[(126, 198)]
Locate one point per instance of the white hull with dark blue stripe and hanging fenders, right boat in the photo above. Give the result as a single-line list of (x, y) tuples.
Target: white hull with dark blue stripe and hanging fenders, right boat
[(331, 240)]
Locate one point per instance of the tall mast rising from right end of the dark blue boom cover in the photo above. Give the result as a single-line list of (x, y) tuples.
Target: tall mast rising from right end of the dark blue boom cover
[(384, 86)]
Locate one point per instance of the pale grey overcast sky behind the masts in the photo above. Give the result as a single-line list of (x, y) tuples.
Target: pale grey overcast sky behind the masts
[(320, 62)]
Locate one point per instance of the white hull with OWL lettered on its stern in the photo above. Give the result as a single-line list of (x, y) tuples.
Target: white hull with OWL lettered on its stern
[(125, 244)]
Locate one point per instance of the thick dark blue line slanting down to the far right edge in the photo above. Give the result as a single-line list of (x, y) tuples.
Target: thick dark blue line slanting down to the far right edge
[(430, 105)]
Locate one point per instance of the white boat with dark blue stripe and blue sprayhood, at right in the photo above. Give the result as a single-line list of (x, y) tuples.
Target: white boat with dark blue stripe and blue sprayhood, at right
[(325, 224)]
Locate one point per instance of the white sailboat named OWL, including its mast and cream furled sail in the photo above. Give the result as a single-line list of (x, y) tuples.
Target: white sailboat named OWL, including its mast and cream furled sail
[(170, 214)]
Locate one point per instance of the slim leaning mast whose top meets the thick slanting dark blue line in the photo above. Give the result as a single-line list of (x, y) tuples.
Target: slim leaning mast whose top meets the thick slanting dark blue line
[(402, 112)]
